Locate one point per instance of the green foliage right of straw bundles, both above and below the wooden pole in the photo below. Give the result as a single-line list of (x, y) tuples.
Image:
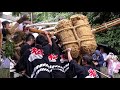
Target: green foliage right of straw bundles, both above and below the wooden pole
[(111, 36)]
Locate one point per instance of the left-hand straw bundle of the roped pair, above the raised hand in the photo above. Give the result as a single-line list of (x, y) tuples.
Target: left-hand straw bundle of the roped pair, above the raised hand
[(65, 32)]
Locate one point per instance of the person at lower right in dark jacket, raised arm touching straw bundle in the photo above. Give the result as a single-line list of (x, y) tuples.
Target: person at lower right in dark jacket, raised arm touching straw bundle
[(85, 71)]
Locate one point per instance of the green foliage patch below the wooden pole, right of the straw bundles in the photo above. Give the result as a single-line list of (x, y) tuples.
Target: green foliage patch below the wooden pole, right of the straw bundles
[(110, 37)]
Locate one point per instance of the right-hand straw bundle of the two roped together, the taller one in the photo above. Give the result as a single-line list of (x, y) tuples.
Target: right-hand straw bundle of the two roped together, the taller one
[(83, 30)]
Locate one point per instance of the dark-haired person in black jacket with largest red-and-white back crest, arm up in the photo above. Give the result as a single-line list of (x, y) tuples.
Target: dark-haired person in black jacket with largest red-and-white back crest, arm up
[(34, 61)]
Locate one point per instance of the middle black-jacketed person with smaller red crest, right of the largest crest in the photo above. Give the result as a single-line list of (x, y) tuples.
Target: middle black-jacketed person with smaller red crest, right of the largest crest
[(54, 59)]
